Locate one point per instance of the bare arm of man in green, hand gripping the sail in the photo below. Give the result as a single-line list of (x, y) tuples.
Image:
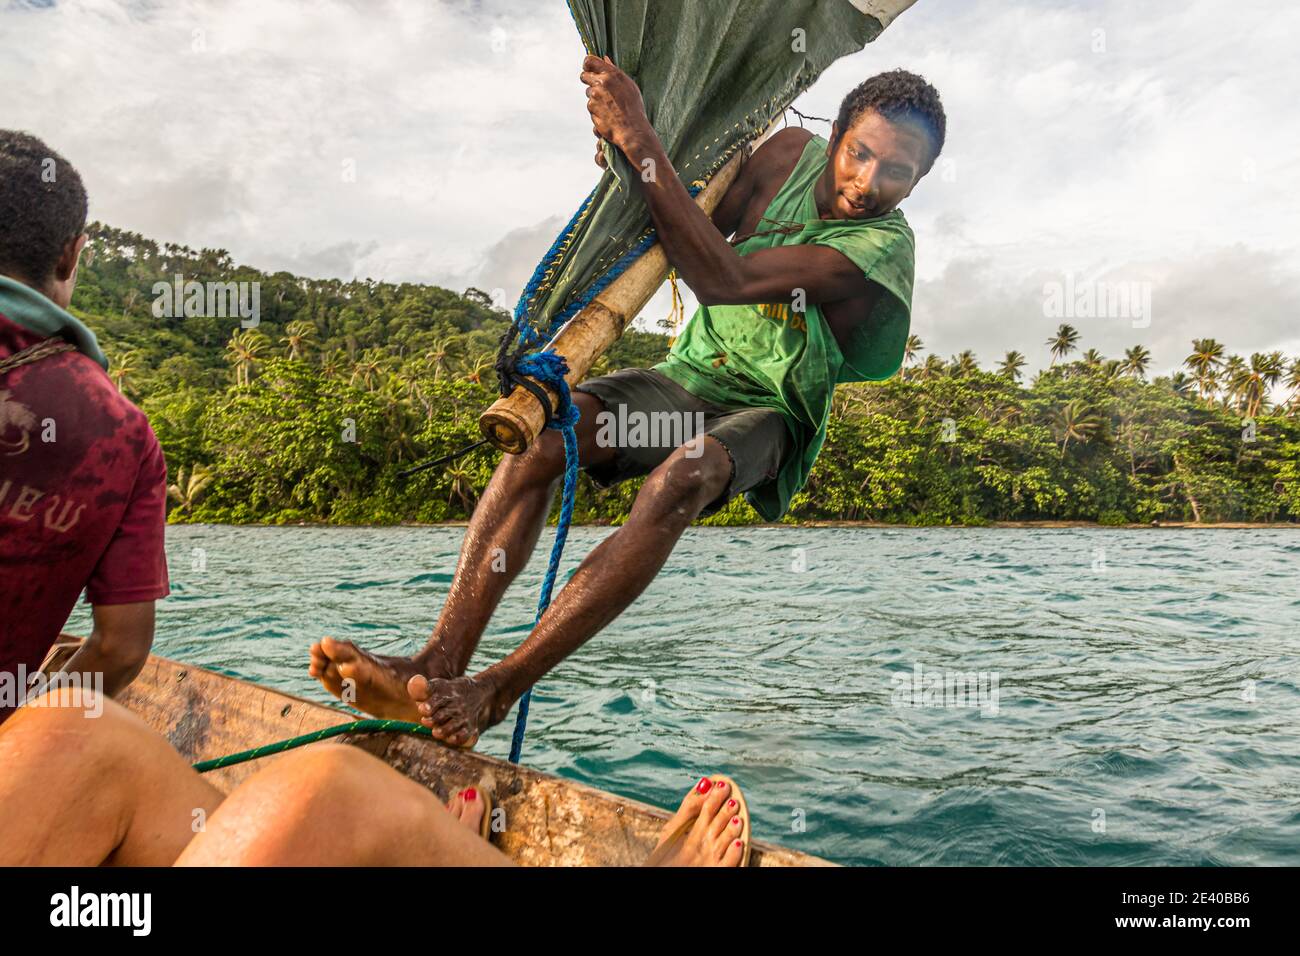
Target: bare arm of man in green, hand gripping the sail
[(705, 261)]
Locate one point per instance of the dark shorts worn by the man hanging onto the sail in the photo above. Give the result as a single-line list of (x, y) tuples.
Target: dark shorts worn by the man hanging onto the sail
[(757, 440)]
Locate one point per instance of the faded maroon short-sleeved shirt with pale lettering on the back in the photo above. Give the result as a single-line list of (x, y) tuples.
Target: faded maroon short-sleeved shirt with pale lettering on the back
[(83, 499)]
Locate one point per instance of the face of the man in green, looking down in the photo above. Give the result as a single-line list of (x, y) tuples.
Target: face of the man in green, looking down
[(873, 168)]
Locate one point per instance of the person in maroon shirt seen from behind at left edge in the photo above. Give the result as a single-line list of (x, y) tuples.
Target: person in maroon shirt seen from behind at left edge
[(83, 478)]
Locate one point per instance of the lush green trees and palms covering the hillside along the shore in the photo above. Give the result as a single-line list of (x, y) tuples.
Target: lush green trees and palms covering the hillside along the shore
[(309, 417)]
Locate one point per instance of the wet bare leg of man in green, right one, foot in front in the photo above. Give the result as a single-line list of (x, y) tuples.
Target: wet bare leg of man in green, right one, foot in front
[(608, 581)]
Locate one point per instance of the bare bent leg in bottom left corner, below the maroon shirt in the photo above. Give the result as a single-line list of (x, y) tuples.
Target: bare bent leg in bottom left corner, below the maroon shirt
[(81, 791)]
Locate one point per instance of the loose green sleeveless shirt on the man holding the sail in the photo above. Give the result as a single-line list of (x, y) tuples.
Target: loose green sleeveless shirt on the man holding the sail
[(769, 356)]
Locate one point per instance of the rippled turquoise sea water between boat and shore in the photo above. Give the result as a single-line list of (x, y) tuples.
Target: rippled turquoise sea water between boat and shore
[(1139, 702)]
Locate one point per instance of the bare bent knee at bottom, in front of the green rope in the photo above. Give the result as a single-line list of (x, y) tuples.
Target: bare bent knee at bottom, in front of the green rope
[(337, 806)]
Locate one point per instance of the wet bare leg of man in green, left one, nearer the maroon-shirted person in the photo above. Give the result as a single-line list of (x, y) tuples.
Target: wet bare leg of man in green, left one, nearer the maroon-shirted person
[(501, 538)]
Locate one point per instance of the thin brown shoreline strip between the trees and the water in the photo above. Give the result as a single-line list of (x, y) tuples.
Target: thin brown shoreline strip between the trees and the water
[(989, 526)]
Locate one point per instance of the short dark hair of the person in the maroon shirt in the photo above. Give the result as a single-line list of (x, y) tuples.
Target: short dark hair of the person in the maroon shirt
[(42, 206)]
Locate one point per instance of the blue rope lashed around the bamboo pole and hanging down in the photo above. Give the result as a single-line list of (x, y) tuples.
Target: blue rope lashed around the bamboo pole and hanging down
[(549, 367)]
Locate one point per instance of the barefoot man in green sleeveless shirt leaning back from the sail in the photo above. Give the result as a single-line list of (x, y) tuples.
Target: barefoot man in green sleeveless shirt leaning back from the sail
[(813, 289)]
